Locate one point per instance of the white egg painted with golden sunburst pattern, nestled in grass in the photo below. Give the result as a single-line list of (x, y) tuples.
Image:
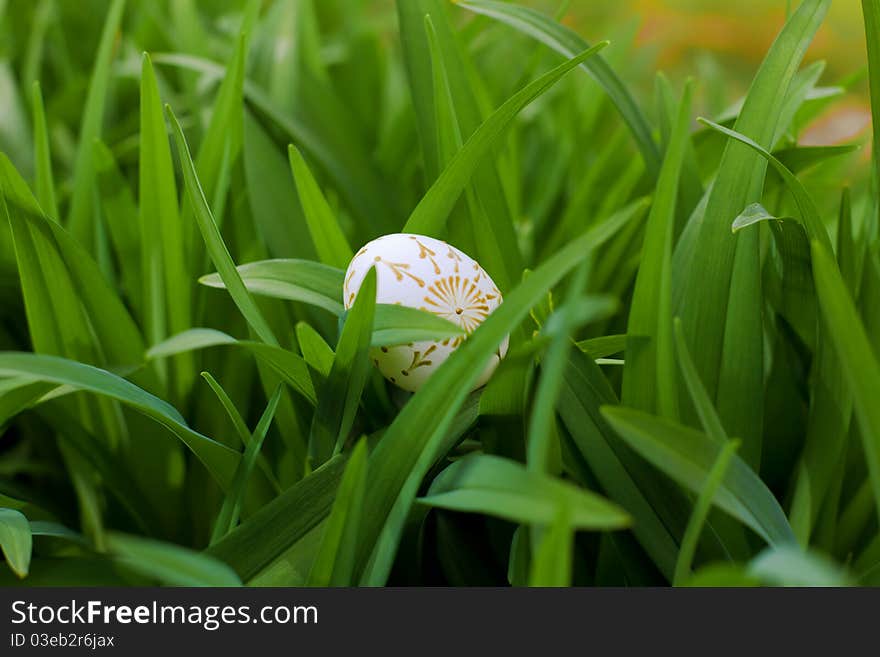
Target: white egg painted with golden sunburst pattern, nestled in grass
[(425, 273)]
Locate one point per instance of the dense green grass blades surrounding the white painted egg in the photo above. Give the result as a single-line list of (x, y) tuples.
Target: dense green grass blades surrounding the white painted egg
[(693, 307)]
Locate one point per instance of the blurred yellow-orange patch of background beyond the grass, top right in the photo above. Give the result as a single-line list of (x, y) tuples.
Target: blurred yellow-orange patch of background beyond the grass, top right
[(727, 39)]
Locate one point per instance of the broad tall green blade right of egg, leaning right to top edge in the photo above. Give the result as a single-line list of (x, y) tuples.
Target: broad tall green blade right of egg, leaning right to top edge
[(721, 302)]
